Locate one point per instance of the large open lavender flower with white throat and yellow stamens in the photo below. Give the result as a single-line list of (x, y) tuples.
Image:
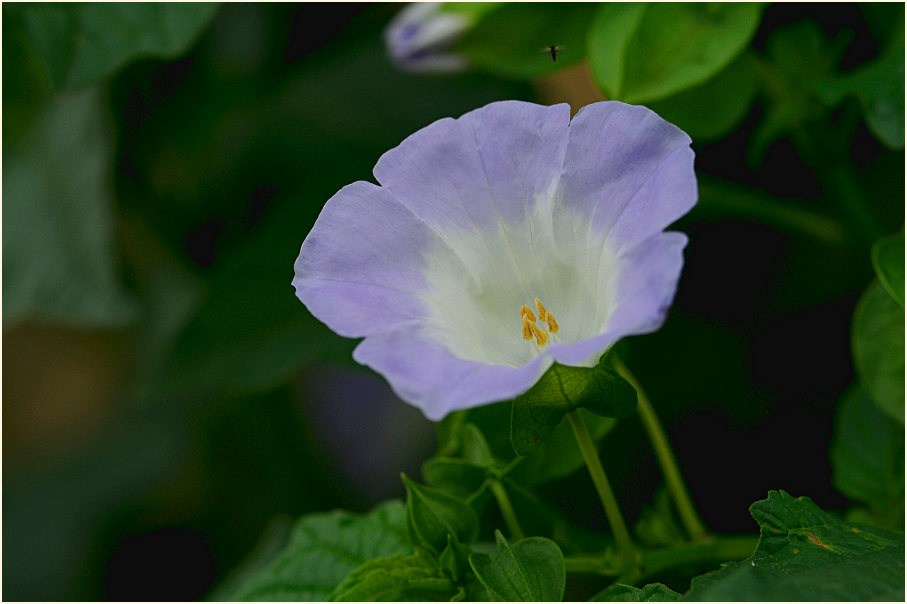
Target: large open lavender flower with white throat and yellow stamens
[(439, 268)]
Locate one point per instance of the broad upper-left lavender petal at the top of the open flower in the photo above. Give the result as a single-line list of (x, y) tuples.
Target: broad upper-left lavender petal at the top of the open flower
[(486, 169)]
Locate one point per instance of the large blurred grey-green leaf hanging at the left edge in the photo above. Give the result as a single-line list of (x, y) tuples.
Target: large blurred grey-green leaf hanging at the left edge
[(59, 260)]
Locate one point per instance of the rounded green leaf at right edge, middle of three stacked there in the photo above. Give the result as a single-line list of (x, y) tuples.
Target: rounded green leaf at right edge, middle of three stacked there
[(878, 348)]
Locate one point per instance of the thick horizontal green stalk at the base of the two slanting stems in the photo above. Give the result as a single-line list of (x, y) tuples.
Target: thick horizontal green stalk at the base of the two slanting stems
[(715, 549)]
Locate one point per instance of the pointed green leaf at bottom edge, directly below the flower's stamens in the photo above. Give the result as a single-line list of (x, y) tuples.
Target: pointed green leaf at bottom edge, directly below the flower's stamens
[(532, 570)]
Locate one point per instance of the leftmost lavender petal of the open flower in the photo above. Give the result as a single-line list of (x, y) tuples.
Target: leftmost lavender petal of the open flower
[(360, 268)]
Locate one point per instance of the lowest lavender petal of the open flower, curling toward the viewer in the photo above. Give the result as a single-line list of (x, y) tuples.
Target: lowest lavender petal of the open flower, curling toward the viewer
[(425, 374)]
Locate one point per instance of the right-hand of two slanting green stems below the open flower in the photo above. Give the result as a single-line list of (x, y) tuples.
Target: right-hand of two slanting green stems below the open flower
[(691, 522)]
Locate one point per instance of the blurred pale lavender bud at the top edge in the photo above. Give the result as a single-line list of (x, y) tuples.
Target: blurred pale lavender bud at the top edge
[(419, 36)]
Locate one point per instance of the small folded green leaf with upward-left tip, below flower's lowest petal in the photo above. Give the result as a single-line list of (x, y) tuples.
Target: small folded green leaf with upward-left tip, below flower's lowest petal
[(434, 514)]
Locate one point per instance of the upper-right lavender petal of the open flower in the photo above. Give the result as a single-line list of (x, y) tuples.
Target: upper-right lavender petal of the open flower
[(629, 171)]
